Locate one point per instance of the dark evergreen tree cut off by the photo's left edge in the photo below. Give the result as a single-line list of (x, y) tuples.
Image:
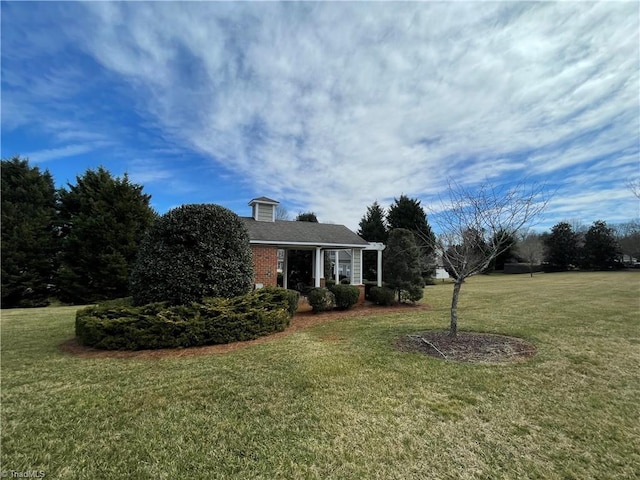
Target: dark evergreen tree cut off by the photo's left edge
[(28, 237)]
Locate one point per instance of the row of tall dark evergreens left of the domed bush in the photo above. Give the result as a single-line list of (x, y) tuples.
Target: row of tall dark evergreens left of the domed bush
[(77, 243)]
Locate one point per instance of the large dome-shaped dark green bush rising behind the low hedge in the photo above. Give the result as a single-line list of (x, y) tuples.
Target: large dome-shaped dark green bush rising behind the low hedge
[(193, 252)]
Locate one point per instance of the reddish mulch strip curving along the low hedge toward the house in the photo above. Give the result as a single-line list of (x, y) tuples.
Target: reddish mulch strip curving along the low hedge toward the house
[(304, 318)]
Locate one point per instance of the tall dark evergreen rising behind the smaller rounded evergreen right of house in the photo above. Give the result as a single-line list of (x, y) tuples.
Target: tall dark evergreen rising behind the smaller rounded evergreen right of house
[(407, 213)]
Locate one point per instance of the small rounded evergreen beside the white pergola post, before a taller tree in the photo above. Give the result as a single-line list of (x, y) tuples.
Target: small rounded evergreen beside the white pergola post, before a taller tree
[(402, 266)]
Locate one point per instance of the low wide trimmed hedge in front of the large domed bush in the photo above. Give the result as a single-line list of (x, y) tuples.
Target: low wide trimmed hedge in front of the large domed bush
[(160, 325)]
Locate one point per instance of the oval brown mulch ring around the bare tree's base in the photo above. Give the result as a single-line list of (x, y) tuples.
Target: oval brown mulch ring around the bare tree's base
[(468, 347)]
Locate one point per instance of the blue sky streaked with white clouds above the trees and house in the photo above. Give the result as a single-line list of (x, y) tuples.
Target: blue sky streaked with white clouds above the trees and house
[(328, 107)]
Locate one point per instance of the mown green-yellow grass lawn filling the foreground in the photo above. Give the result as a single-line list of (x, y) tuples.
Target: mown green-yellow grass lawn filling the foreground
[(339, 401)]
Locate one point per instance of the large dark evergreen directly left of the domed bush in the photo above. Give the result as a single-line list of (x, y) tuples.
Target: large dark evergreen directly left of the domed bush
[(103, 220)]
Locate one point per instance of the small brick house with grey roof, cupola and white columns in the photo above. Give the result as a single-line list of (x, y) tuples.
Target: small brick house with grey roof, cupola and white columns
[(267, 236)]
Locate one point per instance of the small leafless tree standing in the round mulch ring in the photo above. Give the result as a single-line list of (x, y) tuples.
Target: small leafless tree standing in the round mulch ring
[(476, 225)]
